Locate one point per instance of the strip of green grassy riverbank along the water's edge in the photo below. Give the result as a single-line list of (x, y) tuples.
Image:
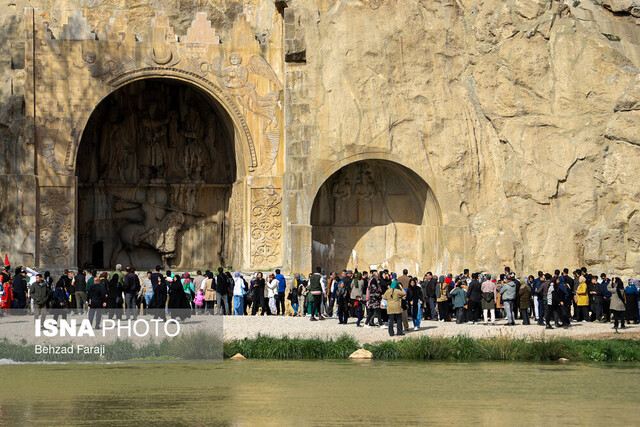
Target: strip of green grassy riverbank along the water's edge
[(202, 345)]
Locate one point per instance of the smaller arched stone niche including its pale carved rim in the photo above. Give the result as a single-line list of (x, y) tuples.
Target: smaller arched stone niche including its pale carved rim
[(372, 210)]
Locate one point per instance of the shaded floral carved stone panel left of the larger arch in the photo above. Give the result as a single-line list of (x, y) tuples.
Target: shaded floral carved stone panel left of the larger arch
[(55, 226)]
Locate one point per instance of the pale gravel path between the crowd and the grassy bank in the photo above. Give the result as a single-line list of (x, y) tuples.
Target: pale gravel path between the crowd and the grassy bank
[(17, 328)]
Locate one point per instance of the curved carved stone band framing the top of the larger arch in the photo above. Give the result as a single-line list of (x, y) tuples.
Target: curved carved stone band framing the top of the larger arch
[(246, 157)]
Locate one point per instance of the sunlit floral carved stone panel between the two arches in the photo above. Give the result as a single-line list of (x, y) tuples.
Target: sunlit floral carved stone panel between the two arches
[(266, 226)]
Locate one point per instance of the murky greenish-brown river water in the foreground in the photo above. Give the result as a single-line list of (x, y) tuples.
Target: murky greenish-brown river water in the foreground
[(259, 392)]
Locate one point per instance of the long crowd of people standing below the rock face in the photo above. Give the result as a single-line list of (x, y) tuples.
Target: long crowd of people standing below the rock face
[(373, 298)]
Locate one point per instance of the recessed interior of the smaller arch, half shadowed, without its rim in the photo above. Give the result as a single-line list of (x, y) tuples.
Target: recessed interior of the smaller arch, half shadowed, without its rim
[(367, 213)]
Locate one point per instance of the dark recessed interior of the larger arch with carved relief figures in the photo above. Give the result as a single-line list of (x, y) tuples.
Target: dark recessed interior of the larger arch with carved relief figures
[(153, 165)]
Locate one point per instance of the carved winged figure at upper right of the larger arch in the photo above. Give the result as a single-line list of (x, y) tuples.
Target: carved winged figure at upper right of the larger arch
[(234, 78)]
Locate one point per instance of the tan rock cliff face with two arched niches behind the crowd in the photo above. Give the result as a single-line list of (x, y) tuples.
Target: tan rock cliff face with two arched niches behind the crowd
[(496, 132)]
